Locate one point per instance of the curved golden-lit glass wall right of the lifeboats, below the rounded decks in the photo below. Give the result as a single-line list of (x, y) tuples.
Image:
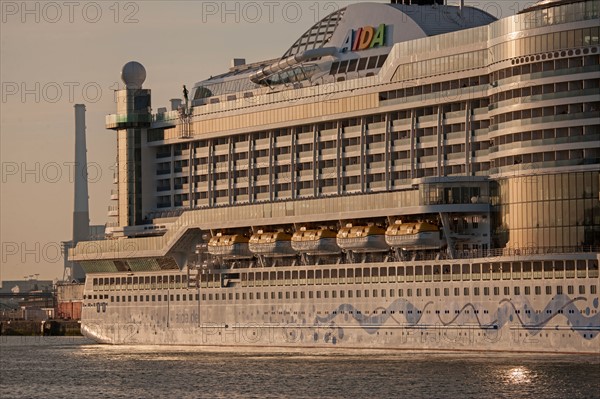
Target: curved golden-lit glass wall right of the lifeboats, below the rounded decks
[(552, 212)]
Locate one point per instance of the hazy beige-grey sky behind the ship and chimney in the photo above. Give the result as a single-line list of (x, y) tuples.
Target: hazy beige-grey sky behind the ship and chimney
[(54, 55)]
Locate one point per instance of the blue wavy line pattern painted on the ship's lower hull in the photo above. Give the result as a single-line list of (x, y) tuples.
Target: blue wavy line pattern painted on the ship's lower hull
[(562, 305)]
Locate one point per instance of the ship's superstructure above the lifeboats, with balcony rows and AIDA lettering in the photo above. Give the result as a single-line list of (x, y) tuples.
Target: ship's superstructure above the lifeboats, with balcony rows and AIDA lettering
[(379, 113)]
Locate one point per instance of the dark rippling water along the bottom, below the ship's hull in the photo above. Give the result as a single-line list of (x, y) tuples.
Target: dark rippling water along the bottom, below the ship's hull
[(73, 367)]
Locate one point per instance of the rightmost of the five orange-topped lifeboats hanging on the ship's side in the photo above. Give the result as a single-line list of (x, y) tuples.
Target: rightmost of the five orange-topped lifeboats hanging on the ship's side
[(414, 236)]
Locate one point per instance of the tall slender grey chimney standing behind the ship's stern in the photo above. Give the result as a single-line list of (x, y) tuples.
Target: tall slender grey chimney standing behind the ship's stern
[(81, 215)]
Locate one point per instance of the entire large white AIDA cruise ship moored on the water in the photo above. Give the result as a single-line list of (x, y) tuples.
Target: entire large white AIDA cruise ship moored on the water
[(406, 176)]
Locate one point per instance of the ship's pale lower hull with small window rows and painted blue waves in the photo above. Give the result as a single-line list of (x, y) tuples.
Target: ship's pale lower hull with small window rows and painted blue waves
[(378, 319)]
